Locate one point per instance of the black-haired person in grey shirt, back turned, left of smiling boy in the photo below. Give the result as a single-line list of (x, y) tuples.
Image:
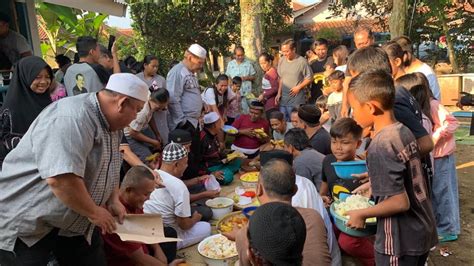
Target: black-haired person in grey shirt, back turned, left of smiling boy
[(307, 161)]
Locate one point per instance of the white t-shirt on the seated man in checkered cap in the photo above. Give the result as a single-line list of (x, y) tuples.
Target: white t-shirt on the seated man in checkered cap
[(171, 201)]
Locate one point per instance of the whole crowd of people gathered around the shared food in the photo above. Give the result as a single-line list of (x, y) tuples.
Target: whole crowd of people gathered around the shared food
[(64, 184)]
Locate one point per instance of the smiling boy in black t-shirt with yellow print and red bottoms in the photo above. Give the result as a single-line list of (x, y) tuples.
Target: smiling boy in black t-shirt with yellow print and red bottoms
[(345, 139)]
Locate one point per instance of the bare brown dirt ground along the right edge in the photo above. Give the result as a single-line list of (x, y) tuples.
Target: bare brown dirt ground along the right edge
[(463, 248)]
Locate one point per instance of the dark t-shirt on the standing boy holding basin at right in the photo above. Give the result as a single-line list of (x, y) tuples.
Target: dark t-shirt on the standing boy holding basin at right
[(394, 167)]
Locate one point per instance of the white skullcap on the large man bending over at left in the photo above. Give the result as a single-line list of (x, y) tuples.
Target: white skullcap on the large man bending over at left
[(130, 85)]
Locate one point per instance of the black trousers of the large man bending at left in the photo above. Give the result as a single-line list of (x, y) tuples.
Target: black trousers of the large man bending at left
[(67, 251)]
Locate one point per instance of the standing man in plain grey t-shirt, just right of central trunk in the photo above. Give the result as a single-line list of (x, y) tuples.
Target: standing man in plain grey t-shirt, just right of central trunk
[(295, 74)]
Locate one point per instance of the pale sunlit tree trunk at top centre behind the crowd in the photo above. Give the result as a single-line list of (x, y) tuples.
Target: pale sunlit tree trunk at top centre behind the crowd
[(251, 36)]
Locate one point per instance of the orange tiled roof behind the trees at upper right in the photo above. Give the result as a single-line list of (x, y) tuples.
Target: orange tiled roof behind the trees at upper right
[(345, 27)]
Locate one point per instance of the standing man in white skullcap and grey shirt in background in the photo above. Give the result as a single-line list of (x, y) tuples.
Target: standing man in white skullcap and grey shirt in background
[(185, 94)]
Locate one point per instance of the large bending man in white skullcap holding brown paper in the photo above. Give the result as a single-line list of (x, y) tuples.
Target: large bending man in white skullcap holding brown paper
[(59, 186)]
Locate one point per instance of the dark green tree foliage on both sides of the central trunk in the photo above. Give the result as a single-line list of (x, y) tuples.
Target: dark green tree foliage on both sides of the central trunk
[(168, 27)]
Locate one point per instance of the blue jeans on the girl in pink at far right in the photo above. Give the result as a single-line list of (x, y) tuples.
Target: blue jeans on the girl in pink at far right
[(445, 196)]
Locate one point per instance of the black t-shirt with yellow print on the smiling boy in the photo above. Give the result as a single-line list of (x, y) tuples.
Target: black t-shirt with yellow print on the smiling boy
[(336, 185)]
